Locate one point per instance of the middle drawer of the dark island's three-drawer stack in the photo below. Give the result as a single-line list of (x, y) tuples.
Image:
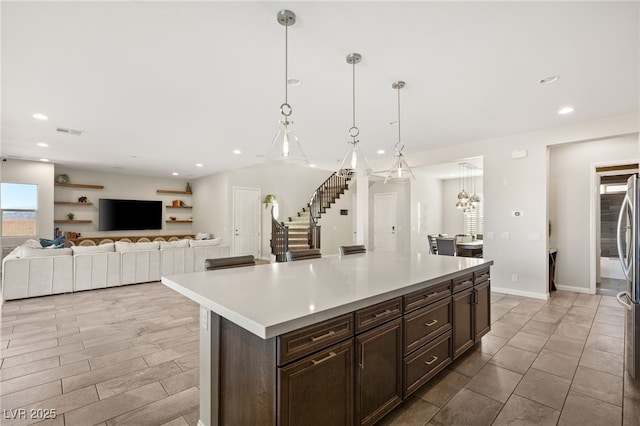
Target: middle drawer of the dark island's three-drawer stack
[(425, 324)]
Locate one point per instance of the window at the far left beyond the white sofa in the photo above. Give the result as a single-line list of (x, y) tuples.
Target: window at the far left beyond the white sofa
[(19, 206)]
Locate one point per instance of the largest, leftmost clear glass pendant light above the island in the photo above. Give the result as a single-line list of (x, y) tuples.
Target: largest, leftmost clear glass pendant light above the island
[(285, 146)]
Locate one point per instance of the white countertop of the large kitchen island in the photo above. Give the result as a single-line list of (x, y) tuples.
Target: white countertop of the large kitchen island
[(273, 299)]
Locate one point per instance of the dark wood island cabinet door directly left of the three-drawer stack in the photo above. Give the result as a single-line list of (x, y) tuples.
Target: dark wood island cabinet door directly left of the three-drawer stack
[(378, 372)]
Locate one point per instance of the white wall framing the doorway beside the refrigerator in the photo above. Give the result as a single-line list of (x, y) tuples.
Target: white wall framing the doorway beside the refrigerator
[(570, 167)]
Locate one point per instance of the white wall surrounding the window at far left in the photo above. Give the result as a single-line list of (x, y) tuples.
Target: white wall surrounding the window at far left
[(36, 173)]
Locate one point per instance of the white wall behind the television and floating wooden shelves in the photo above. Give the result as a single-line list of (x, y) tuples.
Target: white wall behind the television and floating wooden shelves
[(119, 186)]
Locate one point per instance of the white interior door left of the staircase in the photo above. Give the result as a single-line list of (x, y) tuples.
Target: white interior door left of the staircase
[(246, 221)]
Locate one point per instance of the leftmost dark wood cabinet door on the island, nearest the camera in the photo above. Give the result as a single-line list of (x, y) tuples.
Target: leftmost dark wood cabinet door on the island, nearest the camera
[(318, 389)]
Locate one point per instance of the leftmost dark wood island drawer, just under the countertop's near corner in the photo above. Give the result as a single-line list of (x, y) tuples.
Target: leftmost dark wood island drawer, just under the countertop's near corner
[(304, 341)]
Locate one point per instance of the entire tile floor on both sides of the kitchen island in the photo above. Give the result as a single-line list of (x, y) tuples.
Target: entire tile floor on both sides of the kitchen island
[(129, 356)]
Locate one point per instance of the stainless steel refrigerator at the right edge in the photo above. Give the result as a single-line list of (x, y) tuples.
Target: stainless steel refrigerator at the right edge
[(628, 251)]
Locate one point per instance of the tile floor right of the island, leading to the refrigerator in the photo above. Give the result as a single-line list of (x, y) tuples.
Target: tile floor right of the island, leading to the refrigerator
[(558, 362)]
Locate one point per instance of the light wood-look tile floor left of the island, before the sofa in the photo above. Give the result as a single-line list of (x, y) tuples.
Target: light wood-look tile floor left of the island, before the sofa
[(120, 356)]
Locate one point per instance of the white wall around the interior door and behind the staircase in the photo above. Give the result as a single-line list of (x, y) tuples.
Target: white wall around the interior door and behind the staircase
[(292, 186)]
